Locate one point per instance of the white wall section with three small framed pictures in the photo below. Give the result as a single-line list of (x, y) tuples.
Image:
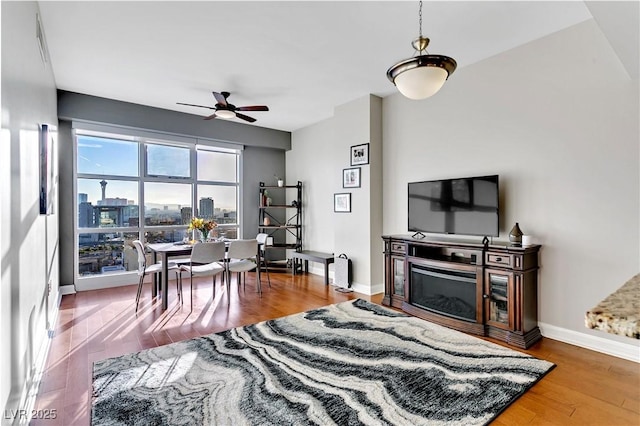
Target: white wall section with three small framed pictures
[(318, 156)]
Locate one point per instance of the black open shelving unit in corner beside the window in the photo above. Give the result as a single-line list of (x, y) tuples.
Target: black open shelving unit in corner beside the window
[(284, 217)]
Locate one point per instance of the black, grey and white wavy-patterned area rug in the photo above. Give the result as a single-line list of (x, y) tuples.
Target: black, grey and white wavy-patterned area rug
[(349, 363)]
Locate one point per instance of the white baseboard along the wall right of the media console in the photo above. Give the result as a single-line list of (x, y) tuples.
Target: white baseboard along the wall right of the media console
[(594, 343)]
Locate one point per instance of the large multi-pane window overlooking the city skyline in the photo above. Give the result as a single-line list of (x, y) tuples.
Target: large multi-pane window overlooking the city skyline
[(130, 187)]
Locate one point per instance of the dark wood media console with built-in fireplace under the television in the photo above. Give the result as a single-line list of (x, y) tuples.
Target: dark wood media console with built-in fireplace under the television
[(484, 290)]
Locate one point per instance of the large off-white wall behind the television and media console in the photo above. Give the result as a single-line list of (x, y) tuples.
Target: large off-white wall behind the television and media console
[(557, 119)]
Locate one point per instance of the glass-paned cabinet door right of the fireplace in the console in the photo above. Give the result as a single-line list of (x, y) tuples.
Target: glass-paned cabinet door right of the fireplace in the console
[(499, 299)]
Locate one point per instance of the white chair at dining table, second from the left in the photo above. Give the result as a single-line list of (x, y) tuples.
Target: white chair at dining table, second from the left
[(206, 259)]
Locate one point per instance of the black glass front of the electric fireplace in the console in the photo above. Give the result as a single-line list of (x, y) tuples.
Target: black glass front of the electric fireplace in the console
[(445, 292)]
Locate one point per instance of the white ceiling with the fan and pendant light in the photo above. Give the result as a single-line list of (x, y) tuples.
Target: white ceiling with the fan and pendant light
[(300, 58)]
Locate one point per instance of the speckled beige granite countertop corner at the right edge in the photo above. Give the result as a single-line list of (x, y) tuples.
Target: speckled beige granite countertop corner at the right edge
[(618, 313)]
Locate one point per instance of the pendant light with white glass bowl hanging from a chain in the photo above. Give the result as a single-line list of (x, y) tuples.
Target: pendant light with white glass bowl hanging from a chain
[(423, 75)]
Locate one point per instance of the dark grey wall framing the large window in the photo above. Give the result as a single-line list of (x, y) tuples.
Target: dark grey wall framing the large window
[(263, 155)]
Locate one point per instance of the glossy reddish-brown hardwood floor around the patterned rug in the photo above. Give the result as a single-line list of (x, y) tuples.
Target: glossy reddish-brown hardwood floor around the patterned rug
[(586, 387)]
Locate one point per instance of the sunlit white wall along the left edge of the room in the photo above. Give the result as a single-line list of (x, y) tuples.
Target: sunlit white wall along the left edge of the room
[(28, 241)]
